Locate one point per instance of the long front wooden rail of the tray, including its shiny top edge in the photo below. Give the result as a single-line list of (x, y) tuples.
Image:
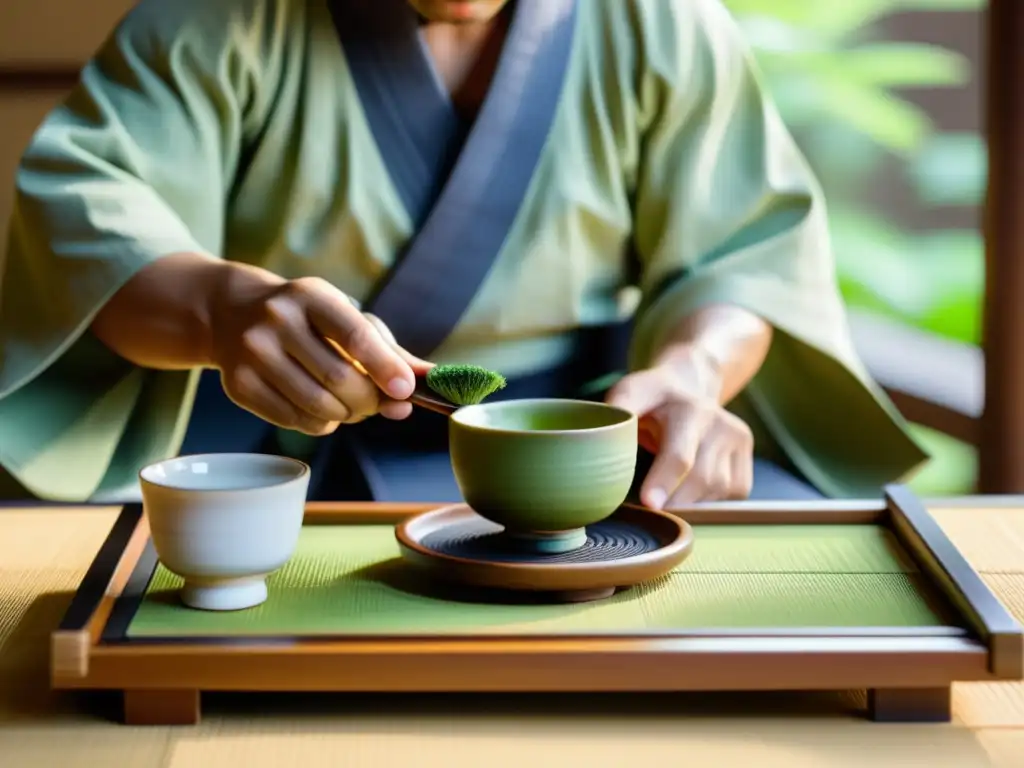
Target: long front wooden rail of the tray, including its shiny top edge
[(545, 667)]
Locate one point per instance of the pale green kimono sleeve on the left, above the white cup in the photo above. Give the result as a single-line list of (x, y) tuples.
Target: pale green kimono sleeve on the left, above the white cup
[(135, 165)]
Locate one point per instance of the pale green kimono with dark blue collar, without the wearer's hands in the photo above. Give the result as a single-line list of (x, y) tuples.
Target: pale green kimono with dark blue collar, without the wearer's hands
[(270, 133)]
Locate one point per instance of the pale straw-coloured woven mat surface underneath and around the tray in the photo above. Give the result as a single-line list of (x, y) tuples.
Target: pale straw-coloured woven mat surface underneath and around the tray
[(45, 553)]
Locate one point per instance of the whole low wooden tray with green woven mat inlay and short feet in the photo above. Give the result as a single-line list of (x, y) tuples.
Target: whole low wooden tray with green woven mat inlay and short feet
[(747, 612)]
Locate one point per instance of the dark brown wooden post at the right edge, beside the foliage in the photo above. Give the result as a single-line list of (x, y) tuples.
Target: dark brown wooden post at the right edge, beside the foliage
[(1002, 434)]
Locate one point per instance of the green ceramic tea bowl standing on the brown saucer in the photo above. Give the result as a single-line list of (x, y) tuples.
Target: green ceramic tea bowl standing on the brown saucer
[(544, 470)]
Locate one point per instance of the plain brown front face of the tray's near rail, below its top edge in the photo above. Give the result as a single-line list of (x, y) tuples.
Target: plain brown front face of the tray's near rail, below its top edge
[(456, 675)]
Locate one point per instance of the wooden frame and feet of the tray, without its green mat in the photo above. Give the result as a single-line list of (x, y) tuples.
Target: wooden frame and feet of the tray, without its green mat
[(908, 672)]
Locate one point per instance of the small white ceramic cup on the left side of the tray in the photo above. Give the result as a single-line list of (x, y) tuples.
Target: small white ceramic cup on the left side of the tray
[(225, 522)]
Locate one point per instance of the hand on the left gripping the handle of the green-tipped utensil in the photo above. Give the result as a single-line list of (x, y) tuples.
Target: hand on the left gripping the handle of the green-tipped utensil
[(271, 343)]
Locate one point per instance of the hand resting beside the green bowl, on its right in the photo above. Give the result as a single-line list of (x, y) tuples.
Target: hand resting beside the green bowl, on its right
[(702, 452)]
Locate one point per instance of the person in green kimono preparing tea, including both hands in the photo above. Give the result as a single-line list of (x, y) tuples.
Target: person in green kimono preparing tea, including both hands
[(559, 190)]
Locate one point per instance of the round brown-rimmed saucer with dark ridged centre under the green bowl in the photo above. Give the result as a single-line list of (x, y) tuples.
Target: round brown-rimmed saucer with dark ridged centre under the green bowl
[(456, 545)]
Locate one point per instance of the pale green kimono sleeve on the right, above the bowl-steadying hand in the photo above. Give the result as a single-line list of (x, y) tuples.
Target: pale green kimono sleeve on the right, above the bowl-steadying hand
[(729, 212)]
